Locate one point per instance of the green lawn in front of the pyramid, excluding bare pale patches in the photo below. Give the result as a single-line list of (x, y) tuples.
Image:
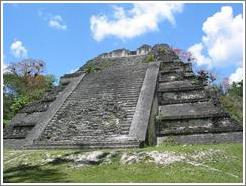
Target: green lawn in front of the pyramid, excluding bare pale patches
[(223, 167)]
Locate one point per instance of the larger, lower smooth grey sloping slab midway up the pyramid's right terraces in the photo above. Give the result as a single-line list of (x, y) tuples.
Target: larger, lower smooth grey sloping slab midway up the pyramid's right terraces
[(189, 110)]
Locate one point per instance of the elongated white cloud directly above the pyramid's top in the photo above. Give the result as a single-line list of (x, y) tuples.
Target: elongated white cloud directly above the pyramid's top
[(142, 18)]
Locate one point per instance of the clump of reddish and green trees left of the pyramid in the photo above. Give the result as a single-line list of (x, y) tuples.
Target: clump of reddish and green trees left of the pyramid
[(24, 82)]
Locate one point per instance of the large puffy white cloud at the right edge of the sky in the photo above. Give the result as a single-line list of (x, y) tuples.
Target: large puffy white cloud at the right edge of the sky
[(222, 43)]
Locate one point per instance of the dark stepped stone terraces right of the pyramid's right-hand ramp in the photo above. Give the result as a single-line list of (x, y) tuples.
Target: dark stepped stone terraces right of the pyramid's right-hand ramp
[(187, 113)]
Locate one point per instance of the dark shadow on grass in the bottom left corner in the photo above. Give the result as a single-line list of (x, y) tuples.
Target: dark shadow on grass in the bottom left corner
[(33, 174)]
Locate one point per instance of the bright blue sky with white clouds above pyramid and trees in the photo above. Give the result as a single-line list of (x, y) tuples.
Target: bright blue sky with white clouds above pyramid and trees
[(65, 36)]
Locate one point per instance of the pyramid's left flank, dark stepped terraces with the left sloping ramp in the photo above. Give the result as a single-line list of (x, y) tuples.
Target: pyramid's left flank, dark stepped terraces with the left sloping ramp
[(31, 120)]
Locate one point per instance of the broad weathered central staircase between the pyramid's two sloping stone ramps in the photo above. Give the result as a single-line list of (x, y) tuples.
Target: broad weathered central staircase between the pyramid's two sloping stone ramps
[(99, 111)]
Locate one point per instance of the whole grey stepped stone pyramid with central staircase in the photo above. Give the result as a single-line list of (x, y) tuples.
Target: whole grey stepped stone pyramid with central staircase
[(126, 102)]
